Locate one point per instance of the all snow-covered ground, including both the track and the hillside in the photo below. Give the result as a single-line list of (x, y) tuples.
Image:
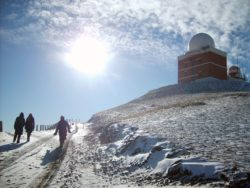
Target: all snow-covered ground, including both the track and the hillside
[(196, 134)]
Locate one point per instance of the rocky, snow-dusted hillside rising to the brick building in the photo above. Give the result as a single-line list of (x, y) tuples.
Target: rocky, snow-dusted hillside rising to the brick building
[(195, 133)]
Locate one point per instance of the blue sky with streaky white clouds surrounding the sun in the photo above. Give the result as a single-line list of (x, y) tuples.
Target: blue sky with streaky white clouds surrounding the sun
[(144, 38)]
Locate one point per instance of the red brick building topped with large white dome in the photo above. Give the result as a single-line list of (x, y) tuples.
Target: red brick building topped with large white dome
[(202, 60)]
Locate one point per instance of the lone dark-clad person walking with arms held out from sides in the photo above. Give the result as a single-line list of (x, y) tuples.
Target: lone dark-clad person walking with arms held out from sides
[(62, 127)]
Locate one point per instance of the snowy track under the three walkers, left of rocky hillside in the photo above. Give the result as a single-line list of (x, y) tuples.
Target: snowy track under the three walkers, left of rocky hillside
[(41, 163)]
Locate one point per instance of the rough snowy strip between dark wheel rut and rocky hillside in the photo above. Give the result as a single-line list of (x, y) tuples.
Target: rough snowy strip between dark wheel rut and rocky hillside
[(76, 169)]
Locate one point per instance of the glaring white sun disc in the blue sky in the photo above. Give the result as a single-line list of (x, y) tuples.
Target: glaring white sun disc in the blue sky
[(88, 55)]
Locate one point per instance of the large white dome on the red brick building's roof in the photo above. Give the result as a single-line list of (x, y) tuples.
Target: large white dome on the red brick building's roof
[(200, 41)]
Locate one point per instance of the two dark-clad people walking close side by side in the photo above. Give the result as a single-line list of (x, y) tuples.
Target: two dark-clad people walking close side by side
[(20, 123)]
